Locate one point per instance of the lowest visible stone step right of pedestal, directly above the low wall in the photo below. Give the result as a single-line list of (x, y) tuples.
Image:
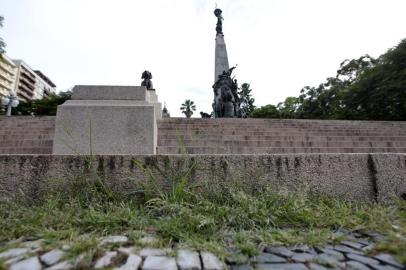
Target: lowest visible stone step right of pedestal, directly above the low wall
[(275, 150)]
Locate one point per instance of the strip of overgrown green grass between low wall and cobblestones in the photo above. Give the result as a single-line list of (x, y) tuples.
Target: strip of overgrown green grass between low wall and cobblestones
[(86, 209)]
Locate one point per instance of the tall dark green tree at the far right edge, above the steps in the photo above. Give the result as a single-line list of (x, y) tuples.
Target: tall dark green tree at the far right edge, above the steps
[(379, 93)]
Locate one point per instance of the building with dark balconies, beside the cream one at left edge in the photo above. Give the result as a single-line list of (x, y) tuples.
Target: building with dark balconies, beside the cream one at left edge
[(31, 84)]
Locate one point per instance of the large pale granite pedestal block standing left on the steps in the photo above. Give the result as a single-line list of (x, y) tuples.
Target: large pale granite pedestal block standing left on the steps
[(107, 120)]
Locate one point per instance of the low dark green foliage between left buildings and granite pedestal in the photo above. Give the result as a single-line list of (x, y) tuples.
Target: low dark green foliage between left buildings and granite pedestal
[(44, 106)]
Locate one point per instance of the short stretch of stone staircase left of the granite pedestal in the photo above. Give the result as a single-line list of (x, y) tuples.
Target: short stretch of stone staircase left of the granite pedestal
[(26, 134)]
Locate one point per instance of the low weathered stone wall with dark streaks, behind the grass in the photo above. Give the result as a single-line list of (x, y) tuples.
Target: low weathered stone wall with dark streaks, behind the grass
[(350, 176)]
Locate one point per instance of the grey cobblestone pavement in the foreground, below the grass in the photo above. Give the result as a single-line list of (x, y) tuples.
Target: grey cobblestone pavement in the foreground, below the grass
[(356, 252)]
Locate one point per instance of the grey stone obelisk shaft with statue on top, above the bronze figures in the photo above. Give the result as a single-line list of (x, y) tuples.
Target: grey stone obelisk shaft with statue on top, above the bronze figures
[(221, 59)]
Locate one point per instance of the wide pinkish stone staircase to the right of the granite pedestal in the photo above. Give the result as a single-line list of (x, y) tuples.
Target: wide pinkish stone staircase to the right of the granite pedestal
[(277, 136)]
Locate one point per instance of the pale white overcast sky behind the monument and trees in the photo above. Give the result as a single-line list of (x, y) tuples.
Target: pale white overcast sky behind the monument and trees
[(279, 45)]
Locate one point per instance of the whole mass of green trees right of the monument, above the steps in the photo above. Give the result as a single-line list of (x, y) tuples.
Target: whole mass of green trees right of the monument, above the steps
[(363, 89)]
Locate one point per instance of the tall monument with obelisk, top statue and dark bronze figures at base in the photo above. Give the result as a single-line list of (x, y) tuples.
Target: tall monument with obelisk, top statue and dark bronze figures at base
[(226, 101)]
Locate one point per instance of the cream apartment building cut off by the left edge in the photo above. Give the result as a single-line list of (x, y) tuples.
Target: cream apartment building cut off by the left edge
[(8, 74)]
